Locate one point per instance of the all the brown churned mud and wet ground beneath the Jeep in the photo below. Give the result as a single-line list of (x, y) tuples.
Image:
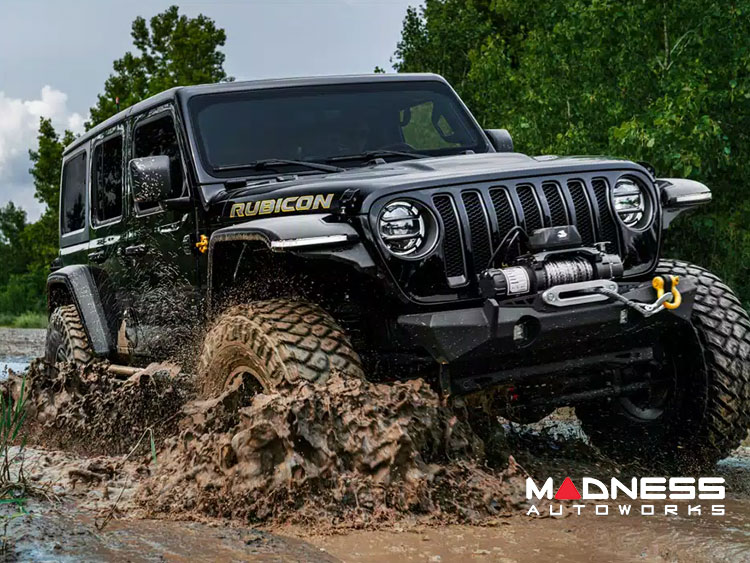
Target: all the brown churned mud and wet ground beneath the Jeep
[(363, 471)]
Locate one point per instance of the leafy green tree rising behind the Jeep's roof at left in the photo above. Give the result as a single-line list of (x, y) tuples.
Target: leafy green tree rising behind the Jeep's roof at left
[(173, 50)]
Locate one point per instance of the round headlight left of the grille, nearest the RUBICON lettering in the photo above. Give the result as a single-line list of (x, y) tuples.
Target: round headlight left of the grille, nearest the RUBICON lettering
[(407, 229)]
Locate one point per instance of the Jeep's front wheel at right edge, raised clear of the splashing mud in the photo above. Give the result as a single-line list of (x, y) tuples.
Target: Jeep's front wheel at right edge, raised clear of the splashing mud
[(702, 411)]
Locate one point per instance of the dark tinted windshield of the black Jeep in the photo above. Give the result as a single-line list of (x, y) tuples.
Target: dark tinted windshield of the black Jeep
[(323, 123)]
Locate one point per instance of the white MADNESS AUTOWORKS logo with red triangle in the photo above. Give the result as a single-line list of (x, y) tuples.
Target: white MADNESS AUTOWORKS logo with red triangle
[(643, 489)]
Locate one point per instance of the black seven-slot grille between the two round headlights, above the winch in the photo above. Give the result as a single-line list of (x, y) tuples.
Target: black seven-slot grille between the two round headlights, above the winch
[(475, 221)]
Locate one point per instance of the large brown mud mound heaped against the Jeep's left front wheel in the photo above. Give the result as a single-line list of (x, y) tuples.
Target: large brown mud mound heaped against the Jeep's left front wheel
[(344, 453)]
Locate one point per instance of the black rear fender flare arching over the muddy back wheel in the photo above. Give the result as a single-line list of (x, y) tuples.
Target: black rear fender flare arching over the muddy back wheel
[(80, 284)]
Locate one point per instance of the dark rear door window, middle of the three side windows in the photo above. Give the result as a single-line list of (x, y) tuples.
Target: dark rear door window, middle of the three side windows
[(107, 180)]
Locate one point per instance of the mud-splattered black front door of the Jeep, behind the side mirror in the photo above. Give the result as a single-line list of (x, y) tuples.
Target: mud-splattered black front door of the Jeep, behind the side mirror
[(164, 281)]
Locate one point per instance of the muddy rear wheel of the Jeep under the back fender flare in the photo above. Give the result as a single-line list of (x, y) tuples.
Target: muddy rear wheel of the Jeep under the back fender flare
[(66, 338)]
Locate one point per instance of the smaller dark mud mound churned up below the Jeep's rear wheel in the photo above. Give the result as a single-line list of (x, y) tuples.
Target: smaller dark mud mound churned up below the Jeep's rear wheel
[(91, 411)]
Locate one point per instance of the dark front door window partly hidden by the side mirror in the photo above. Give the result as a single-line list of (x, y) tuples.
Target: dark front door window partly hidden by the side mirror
[(158, 137)]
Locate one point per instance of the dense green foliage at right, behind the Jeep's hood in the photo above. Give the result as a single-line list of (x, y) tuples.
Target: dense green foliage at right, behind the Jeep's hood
[(665, 82)]
